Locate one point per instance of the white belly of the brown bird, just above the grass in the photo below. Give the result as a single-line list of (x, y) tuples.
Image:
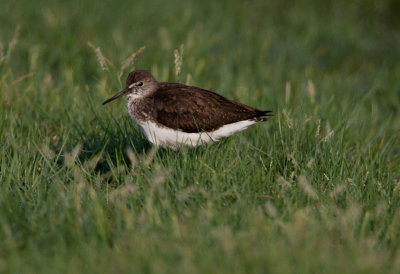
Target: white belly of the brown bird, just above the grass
[(173, 138)]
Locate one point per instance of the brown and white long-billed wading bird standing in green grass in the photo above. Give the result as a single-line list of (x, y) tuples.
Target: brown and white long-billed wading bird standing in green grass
[(174, 115)]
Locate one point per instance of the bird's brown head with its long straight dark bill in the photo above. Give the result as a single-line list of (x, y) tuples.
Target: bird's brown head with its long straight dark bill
[(138, 84)]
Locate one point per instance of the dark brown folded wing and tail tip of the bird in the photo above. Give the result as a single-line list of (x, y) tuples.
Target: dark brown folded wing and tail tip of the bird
[(192, 109)]
